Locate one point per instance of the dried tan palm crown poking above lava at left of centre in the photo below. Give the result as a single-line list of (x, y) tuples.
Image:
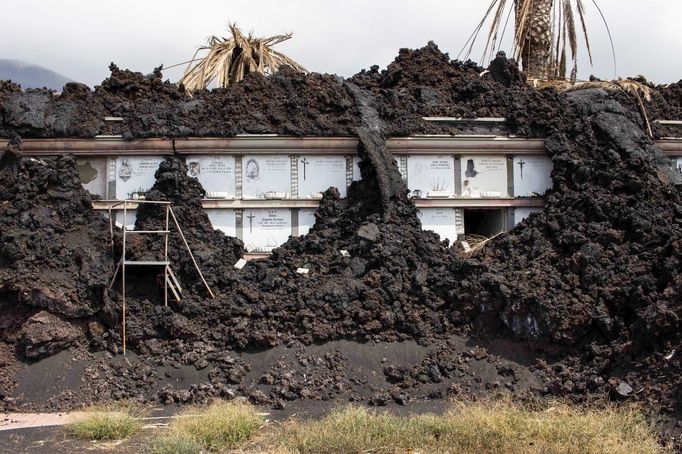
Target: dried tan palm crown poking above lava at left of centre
[(229, 60)]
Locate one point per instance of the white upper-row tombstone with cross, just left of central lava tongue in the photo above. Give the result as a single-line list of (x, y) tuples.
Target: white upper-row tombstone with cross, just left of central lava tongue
[(319, 173)]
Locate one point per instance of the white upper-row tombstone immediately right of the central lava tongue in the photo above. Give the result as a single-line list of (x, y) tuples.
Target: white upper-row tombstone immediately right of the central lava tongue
[(431, 174)]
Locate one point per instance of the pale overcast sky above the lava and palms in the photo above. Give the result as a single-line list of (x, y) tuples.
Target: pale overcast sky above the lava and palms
[(79, 38)]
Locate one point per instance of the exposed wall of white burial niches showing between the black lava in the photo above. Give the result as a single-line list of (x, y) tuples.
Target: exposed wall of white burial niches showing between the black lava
[(460, 185)]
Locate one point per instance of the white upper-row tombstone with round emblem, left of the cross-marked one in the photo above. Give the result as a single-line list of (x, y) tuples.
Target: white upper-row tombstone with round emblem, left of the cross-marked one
[(265, 173)]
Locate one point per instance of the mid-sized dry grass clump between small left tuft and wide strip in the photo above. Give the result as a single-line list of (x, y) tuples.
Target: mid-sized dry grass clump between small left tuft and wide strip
[(220, 426)]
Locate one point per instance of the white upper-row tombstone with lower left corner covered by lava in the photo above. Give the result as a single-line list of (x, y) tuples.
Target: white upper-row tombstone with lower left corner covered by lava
[(215, 173)]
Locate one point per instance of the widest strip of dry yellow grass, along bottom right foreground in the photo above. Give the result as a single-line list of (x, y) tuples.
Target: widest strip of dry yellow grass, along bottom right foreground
[(472, 428)]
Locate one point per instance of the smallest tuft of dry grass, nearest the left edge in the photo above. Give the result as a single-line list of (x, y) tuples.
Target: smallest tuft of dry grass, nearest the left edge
[(107, 423)]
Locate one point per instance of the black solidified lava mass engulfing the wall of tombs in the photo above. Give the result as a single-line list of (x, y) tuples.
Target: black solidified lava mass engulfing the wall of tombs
[(582, 300)]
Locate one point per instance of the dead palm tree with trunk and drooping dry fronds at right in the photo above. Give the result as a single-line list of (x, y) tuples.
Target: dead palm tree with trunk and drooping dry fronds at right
[(545, 37)]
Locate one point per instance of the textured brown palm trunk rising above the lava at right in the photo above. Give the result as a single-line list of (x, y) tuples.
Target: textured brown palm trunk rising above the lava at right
[(536, 44)]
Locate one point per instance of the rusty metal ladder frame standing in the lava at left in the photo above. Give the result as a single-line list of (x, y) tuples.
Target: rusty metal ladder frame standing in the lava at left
[(170, 280)]
